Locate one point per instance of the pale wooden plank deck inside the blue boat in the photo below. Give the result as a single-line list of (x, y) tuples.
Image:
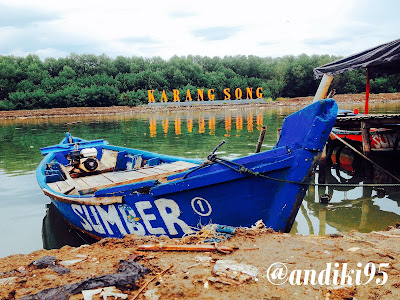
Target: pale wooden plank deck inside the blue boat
[(90, 184)]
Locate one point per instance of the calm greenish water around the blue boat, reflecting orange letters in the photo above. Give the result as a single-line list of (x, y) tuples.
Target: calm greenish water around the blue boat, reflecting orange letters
[(189, 134)]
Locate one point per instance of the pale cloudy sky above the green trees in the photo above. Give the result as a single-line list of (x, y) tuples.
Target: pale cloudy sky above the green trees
[(53, 28)]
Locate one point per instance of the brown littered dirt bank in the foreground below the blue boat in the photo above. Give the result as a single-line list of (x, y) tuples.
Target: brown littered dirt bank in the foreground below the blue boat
[(262, 264)]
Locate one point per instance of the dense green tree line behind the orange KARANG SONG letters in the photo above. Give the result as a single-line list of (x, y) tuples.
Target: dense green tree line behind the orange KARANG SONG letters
[(90, 80)]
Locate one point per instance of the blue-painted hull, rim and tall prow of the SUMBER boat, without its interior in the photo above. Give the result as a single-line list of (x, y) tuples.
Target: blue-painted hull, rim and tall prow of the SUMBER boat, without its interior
[(214, 193)]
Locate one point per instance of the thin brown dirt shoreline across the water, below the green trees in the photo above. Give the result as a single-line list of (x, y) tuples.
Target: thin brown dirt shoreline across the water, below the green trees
[(355, 99)]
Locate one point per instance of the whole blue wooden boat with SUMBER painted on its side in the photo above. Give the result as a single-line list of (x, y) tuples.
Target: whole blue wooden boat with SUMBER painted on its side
[(110, 191)]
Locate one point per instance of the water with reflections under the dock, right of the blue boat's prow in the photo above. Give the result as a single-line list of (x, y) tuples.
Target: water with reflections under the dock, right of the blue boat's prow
[(364, 209)]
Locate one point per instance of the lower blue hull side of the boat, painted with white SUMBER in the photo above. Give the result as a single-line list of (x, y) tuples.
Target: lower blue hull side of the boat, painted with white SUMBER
[(175, 214)]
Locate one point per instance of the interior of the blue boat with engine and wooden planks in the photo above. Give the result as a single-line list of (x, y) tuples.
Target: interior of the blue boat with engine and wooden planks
[(109, 169)]
